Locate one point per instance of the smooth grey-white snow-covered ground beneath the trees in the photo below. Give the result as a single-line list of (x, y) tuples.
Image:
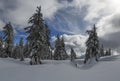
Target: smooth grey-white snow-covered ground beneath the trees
[(108, 69)]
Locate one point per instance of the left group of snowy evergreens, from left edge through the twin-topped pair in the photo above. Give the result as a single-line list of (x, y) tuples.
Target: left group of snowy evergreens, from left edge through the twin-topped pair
[(38, 45)]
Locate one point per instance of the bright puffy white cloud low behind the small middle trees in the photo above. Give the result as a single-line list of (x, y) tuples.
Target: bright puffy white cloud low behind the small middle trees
[(77, 42)]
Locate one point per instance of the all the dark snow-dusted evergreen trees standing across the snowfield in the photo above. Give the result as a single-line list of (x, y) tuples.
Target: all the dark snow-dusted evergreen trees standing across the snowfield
[(38, 46)]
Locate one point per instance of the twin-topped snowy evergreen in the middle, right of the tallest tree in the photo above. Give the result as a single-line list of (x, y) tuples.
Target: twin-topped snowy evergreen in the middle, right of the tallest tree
[(60, 52)]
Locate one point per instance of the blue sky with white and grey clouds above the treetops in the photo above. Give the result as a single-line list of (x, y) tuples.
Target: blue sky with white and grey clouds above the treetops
[(69, 18)]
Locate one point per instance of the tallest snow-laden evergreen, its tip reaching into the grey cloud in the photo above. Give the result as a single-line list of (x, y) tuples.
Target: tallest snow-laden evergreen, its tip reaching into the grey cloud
[(38, 37)]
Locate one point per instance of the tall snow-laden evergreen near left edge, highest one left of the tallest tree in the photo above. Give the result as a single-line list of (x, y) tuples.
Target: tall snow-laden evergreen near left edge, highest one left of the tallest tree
[(9, 38)]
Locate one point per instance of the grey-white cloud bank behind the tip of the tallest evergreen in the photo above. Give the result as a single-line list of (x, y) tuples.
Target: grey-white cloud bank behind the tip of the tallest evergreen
[(25, 8)]
